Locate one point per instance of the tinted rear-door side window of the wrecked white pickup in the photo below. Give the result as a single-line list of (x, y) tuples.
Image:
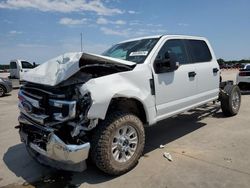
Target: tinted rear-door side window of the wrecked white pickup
[(199, 51)]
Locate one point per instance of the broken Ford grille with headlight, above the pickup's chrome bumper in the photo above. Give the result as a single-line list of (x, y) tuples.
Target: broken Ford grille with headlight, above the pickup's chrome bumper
[(46, 107)]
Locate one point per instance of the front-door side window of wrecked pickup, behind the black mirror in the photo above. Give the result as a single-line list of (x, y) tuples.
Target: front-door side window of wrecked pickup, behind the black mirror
[(176, 48)]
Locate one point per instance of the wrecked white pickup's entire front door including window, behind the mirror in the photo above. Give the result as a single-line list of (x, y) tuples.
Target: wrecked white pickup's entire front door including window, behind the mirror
[(175, 90)]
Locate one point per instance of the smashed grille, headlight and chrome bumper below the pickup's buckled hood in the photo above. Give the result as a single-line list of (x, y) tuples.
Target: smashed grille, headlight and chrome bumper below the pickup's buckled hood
[(52, 124)]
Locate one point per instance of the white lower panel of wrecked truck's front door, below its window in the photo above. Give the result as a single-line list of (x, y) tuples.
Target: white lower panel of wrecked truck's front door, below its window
[(174, 90)]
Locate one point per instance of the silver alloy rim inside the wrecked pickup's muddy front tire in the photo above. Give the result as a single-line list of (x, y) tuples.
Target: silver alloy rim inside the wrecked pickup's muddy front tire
[(124, 143)]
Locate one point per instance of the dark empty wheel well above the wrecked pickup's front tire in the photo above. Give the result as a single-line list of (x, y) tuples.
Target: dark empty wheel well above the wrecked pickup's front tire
[(128, 105)]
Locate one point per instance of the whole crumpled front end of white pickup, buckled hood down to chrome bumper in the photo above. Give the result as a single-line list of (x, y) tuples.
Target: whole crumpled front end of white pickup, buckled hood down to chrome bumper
[(54, 108)]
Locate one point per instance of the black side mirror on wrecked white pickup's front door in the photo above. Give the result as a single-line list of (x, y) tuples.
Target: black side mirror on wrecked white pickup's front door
[(166, 64)]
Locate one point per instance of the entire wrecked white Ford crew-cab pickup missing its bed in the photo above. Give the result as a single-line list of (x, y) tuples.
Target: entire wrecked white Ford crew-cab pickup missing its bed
[(82, 105)]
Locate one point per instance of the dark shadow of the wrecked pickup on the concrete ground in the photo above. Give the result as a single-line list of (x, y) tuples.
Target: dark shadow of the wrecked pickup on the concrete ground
[(22, 165)]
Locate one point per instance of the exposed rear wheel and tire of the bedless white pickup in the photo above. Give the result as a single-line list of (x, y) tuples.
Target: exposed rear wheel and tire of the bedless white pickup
[(230, 100)]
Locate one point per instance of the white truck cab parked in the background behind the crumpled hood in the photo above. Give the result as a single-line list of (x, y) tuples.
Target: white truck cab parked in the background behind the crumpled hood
[(18, 67)]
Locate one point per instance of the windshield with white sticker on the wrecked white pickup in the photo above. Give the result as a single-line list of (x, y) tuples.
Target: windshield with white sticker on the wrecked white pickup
[(135, 51)]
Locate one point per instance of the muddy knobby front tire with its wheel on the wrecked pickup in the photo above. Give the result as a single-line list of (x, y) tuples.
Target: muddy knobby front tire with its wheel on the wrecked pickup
[(118, 143)]
